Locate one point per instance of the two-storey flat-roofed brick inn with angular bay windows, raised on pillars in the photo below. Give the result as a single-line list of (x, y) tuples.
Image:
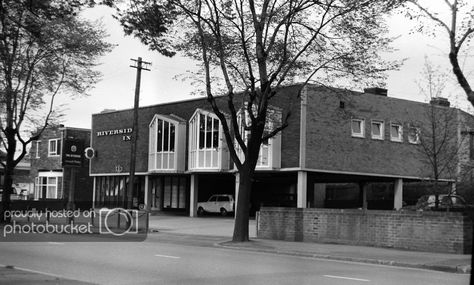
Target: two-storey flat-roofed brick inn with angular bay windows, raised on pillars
[(342, 148)]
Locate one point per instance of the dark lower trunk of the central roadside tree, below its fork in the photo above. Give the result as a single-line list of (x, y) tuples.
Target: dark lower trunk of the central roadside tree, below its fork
[(241, 224)]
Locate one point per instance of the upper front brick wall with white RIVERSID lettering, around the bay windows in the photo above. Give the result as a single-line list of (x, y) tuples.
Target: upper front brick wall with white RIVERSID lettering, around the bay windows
[(109, 159)]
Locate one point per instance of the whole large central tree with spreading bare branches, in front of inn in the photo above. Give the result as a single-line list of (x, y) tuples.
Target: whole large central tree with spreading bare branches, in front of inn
[(250, 49)]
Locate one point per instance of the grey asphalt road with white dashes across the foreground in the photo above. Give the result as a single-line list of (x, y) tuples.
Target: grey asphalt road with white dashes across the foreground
[(166, 258)]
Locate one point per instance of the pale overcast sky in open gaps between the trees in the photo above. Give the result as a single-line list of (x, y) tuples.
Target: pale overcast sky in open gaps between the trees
[(117, 88)]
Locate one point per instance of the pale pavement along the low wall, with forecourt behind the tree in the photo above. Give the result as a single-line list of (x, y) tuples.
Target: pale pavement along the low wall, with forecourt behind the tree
[(223, 227)]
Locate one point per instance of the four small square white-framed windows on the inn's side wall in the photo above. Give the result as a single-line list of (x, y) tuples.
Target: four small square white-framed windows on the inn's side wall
[(377, 131)]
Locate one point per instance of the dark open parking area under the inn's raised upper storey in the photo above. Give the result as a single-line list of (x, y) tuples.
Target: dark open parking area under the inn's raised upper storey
[(310, 189)]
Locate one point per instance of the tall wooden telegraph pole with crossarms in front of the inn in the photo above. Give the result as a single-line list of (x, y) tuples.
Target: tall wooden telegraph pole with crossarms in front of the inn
[(133, 148)]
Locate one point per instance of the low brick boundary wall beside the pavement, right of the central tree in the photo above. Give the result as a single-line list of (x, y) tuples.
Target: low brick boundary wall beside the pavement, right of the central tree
[(422, 231)]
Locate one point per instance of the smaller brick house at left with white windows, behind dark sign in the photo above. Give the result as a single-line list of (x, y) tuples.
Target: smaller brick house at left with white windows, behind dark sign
[(60, 169)]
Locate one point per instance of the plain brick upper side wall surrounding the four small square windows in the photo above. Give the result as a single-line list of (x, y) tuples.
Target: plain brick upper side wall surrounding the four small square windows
[(330, 145)]
